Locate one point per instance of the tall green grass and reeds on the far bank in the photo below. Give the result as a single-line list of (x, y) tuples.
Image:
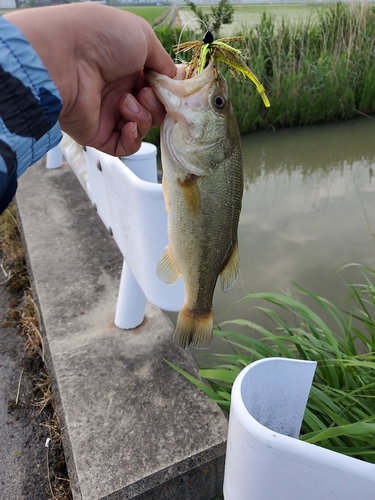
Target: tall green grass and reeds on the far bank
[(314, 70)]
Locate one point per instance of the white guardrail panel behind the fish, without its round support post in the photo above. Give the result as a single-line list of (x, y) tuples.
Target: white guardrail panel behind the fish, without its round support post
[(134, 211)]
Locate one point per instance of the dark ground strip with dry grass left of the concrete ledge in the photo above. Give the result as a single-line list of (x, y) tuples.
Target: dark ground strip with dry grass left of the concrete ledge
[(29, 470)]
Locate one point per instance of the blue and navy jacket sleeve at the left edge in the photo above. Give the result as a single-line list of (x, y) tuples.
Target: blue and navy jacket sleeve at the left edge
[(30, 105)]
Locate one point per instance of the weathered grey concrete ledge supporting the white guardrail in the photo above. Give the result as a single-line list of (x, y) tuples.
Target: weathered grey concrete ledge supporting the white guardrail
[(132, 427)]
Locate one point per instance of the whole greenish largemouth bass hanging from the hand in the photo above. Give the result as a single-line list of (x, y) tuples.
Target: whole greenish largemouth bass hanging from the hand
[(202, 185)]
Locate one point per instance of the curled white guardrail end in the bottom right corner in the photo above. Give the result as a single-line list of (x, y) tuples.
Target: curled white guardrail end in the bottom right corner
[(264, 461)]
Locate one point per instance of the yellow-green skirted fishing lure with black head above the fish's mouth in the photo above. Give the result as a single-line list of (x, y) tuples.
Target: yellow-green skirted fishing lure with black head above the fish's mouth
[(219, 50)]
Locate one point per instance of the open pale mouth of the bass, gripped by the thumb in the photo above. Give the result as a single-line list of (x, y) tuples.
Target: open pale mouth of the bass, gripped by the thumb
[(179, 93)]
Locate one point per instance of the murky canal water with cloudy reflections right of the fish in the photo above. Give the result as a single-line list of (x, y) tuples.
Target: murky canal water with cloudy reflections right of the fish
[(308, 200)]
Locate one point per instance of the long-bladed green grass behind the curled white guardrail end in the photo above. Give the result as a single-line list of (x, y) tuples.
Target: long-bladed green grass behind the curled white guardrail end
[(340, 413)]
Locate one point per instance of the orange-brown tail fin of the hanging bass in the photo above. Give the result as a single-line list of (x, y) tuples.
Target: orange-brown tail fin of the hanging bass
[(193, 330)]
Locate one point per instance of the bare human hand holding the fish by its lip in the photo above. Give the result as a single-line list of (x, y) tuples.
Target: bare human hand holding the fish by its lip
[(95, 55)]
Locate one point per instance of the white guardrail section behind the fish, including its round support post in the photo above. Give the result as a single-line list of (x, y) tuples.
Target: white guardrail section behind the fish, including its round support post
[(130, 203)]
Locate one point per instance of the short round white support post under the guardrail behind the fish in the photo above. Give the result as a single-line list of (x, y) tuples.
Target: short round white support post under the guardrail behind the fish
[(131, 301)]
